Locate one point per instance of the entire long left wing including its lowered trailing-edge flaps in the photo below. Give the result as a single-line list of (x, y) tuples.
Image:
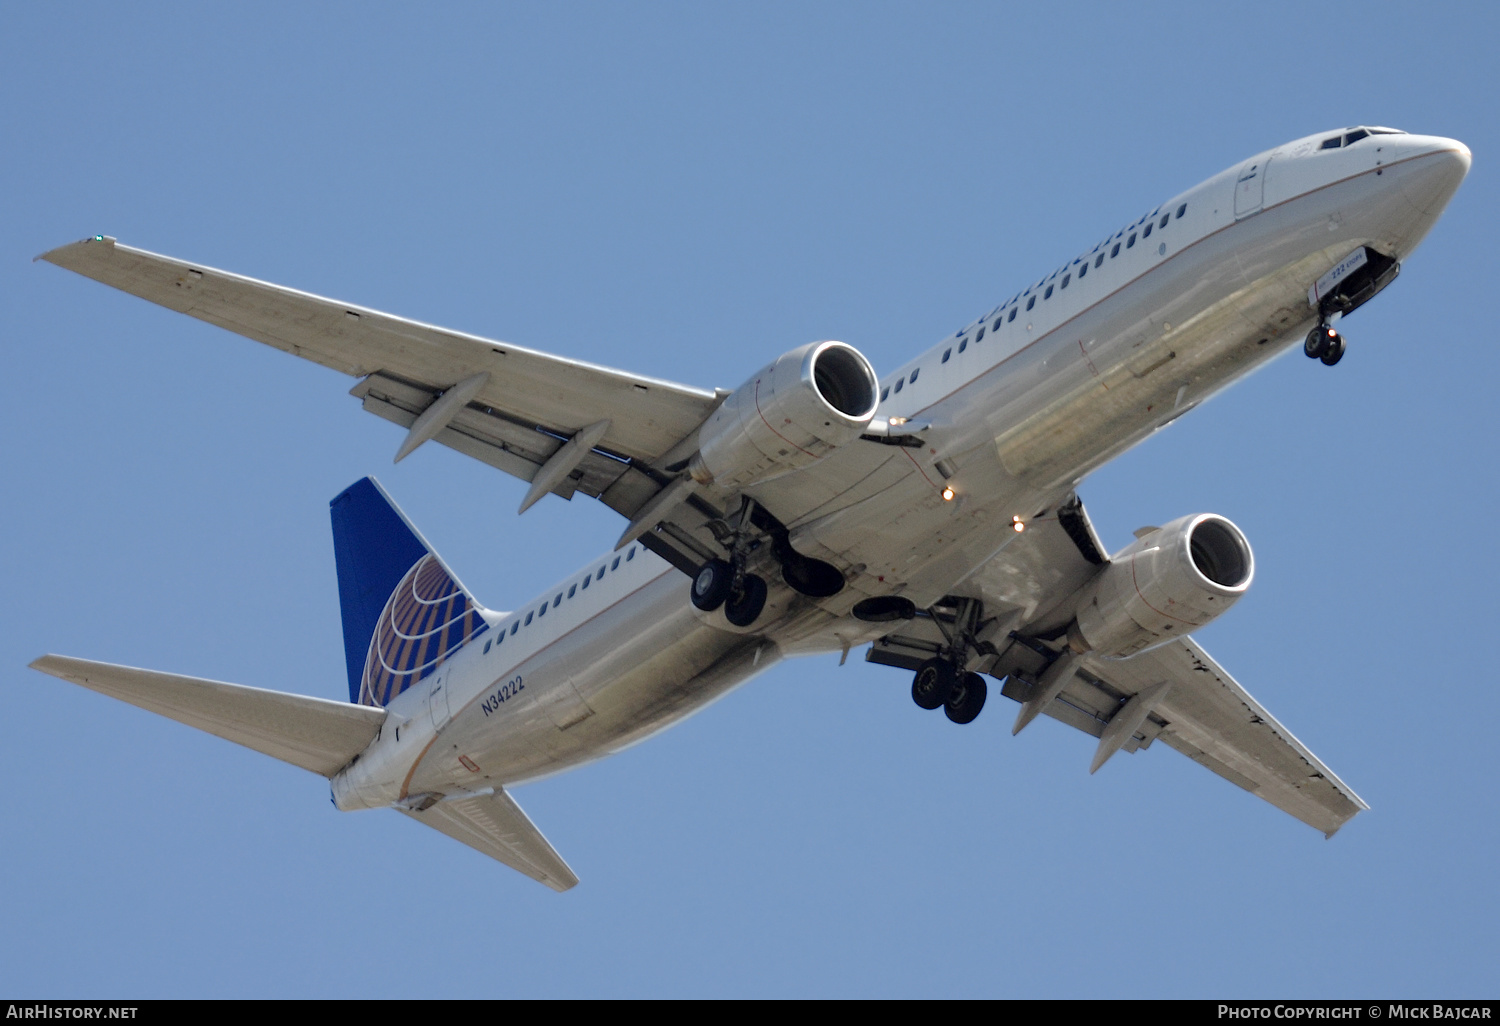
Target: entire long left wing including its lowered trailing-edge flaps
[(509, 407)]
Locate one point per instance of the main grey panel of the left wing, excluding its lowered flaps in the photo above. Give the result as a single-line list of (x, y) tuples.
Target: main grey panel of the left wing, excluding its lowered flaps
[(649, 416)]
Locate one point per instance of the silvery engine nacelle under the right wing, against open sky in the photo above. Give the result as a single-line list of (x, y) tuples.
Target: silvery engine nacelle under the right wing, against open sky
[(1166, 586)]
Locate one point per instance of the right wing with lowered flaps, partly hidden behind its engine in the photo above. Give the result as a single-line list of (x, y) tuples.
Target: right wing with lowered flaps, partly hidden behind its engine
[(1186, 698)]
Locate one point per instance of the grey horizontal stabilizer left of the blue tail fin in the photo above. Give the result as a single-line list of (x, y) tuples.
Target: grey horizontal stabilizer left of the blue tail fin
[(310, 733)]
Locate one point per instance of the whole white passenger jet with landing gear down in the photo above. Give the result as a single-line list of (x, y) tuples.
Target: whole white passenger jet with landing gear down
[(929, 515)]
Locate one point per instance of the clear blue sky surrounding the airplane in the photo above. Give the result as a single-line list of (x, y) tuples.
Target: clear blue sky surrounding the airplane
[(686, 191)]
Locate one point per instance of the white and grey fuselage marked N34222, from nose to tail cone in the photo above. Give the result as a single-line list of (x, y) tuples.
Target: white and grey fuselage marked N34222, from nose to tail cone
[(1022, 406)]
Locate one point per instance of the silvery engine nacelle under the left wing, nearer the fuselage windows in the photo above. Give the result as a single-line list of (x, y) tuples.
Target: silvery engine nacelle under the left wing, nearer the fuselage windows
[(788, 416)]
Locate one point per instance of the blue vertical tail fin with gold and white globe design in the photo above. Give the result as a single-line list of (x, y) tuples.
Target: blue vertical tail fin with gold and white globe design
[(404, 611)]
